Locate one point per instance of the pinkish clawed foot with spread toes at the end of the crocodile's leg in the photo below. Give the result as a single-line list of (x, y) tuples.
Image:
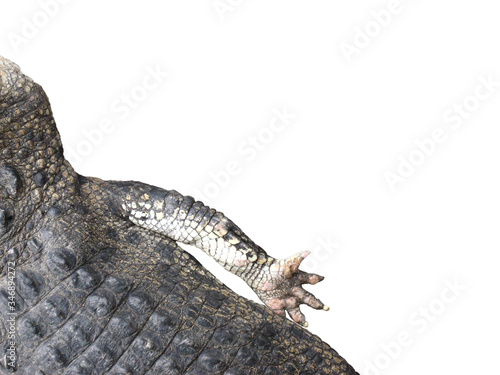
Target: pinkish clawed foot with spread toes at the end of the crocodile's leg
[(281, 288)]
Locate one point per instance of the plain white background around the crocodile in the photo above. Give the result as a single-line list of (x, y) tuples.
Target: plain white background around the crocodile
[(321, 179)]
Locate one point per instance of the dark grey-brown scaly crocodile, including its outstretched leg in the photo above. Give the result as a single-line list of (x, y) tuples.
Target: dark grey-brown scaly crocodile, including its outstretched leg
[(94, 280)]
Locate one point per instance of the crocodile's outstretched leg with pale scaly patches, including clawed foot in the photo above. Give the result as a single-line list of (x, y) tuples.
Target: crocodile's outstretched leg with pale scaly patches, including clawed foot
[(276, 282)]
